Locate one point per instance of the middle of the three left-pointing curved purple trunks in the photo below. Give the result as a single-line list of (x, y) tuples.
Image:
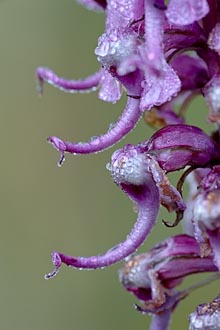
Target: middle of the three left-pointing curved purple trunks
[(123, 126)]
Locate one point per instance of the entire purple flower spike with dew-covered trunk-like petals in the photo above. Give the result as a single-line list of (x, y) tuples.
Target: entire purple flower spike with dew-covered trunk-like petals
[(162, 54)]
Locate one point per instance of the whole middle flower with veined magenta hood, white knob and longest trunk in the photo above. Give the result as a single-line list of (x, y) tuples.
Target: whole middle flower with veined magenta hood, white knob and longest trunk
[(140, 172)]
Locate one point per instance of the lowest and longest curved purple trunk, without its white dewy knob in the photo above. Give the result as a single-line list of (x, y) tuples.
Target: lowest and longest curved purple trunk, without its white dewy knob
[(146, 196)]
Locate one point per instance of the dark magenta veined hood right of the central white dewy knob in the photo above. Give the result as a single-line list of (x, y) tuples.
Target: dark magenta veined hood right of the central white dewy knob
[(177, 146)]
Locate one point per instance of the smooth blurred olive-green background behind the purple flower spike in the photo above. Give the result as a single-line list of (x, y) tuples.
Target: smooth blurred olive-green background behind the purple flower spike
[(76, 209)]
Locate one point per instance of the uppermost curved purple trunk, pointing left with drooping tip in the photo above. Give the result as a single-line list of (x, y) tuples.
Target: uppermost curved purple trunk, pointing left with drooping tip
[(71, 86)]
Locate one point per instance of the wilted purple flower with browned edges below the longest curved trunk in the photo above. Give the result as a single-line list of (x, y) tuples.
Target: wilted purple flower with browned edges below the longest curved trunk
[(153, 277)]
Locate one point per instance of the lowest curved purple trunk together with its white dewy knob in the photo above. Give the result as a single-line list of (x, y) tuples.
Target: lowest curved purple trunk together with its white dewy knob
[(144, 193)]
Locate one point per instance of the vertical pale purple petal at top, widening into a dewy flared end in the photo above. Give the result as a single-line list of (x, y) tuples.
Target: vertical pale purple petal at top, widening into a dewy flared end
[(161, 81)]
